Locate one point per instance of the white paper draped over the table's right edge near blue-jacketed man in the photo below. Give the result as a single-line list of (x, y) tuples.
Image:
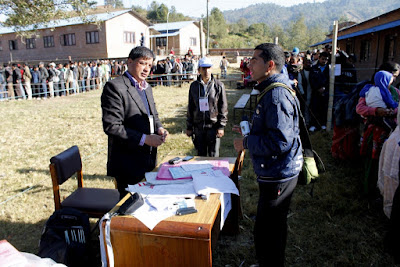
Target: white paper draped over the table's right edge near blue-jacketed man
[(205, 183)]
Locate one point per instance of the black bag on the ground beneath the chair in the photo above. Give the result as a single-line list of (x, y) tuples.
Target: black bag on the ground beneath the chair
[(65, 238)]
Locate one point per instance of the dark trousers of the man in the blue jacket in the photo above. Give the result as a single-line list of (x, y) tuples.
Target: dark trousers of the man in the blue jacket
[(270, 229)]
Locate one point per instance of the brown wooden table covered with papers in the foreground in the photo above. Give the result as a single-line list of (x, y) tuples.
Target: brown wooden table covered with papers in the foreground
[(176, 241)]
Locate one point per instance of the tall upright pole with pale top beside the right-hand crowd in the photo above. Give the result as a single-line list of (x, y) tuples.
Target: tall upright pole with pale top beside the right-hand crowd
[(332, 77)]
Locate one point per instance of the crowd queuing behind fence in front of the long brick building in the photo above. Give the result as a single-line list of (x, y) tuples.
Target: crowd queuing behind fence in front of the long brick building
[(24, 81)]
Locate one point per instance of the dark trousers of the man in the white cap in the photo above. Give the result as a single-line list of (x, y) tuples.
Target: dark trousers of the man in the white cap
[(206, 142)]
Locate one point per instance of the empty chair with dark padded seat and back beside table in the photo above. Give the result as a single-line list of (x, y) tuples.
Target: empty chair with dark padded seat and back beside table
[(93, 201)]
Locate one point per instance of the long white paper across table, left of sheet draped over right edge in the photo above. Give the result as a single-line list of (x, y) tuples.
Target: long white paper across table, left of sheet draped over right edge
[(170, 190)]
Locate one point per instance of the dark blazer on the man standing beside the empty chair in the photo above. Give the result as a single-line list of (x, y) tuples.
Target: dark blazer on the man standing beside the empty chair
[(125, 120)]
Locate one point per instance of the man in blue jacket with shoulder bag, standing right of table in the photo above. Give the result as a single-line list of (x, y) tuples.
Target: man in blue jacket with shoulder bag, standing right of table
[(275, 148)]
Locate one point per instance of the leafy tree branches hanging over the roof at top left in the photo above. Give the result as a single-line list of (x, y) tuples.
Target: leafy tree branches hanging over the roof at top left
[(26, 16)]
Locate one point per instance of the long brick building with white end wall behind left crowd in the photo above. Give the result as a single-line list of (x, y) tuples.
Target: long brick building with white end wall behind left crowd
[(115, 34)]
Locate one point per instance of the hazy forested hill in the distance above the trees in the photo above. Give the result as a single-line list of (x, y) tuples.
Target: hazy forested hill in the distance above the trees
[(315, 14)]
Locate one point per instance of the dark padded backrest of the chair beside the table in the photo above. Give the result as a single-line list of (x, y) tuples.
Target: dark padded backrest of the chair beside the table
[(62, 167)]
